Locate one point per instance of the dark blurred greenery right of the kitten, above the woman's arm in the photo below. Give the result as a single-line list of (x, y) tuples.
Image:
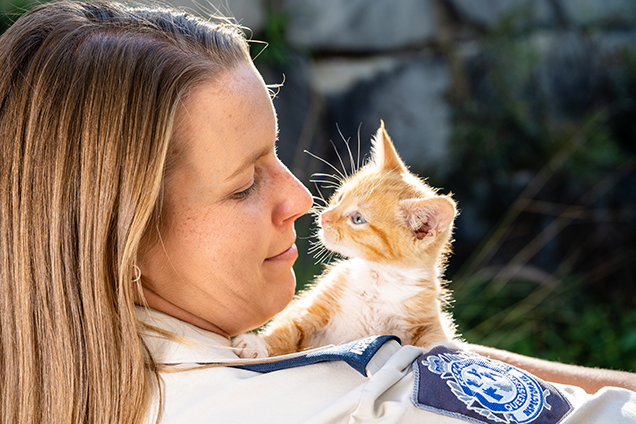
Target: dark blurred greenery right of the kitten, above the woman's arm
[(554, 177)]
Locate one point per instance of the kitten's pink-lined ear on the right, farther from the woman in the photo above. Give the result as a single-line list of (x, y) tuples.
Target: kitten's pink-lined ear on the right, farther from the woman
[(428, 217)]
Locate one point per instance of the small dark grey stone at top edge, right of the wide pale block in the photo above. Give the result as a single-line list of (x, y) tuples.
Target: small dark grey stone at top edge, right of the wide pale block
[(490, 12)]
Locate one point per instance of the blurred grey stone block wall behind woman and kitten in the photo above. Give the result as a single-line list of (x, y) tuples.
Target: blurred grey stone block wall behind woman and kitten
[(349, 63)]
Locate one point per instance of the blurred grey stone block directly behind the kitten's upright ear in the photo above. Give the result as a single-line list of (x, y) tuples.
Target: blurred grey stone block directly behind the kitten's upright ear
[(411, 101)]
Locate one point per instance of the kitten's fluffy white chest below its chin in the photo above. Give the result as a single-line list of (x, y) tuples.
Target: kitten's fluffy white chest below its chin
[(371, 303)]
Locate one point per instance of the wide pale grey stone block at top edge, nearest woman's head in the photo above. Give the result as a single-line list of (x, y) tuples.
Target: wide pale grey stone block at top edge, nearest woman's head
[(359, 25)]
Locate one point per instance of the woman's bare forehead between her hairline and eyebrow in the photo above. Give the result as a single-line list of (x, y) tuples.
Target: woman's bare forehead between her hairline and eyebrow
[(226, 125)]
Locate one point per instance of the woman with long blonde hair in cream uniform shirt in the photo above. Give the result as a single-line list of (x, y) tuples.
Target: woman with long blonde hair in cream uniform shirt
[(139, 167)]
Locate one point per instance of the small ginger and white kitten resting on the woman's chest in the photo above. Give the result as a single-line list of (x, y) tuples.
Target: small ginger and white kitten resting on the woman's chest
[(395, 231)]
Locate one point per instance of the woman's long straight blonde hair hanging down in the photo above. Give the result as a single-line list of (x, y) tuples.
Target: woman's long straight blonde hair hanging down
[(88, 96)]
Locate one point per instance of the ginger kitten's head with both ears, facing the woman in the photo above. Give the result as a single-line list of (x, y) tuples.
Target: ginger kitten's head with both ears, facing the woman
[(384, 213)]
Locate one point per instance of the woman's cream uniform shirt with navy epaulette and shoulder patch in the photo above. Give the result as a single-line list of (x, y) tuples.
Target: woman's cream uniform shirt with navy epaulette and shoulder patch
[(372, 380)]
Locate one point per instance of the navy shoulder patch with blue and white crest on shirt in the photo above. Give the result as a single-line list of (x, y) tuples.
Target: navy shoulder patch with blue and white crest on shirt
[(480, 390)]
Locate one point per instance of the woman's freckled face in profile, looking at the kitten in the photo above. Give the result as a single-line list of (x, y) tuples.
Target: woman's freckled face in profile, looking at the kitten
[(224, 258)]
